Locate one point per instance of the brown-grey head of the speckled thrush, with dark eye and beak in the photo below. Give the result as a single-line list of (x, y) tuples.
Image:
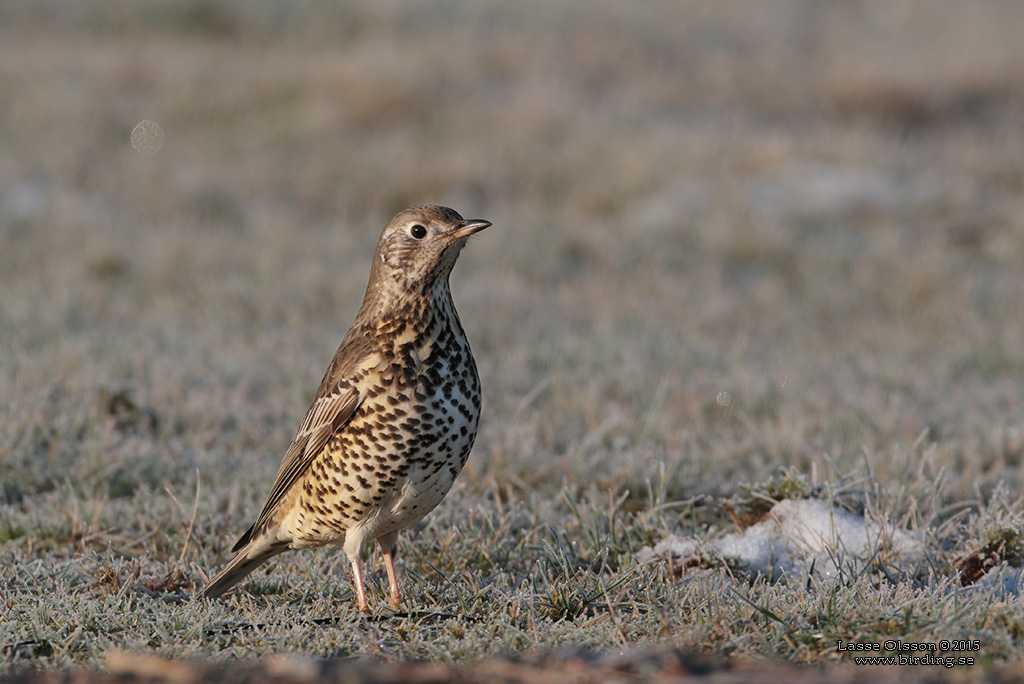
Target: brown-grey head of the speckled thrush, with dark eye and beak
[(417, 251)]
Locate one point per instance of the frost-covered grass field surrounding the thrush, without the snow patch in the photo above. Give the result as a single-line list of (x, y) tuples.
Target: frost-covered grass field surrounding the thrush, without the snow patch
[(743, 253)]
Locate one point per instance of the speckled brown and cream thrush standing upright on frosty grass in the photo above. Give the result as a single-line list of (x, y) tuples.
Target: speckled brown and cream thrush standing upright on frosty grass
[(394, 420)]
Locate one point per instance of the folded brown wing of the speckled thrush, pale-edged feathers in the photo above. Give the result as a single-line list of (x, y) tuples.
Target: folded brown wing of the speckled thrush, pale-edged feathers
[(336, 401)]
